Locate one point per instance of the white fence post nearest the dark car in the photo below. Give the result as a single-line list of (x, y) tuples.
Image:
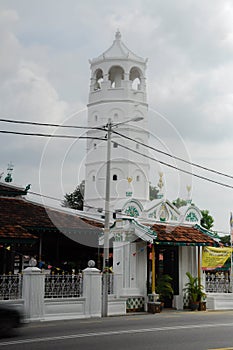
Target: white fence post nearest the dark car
[(33, 293)]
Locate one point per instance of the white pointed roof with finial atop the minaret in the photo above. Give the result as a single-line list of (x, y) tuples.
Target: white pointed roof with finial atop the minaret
[(118, 50)]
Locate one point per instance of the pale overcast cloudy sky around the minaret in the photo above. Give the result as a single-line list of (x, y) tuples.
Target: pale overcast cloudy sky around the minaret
[(45, 75)]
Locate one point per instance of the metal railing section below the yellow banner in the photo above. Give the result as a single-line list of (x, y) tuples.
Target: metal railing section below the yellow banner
[(217, 282)]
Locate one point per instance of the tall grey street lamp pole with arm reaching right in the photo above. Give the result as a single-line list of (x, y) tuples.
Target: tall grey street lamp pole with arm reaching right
[(109, 128)]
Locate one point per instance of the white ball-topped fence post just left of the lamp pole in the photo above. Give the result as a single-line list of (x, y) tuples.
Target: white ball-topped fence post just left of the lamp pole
[(92, 290)]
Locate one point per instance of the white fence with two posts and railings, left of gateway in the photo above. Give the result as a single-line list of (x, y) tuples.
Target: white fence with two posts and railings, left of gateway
[(56, 297)]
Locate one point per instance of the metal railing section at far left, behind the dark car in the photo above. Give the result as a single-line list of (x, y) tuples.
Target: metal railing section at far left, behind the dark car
[(10, 287)]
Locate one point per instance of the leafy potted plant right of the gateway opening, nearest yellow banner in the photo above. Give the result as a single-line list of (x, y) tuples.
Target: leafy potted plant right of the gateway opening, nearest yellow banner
[(194, 291)]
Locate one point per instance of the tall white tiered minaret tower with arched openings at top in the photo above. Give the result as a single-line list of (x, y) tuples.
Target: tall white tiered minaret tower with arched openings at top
[(117, 94)]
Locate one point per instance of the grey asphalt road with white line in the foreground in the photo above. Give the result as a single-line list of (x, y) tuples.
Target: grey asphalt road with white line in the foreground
[(167, 330)]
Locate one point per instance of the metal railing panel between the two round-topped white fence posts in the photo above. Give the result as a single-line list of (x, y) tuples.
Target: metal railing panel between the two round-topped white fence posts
[(63, 286)]
